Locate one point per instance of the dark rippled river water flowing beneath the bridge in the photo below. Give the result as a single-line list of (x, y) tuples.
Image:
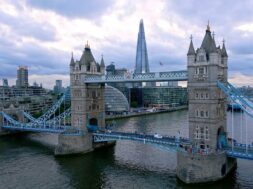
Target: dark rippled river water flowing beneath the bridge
[(27, 164)]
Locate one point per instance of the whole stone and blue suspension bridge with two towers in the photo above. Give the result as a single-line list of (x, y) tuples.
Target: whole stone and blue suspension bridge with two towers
[(207, 155)]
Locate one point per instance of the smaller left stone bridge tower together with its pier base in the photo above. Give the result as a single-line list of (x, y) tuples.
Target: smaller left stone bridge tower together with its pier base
[(87, 104)]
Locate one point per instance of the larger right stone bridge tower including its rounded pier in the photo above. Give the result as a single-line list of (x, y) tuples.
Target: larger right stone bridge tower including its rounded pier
[(206, 162)]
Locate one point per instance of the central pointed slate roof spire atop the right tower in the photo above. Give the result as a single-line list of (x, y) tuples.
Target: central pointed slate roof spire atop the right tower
[(208, 42)]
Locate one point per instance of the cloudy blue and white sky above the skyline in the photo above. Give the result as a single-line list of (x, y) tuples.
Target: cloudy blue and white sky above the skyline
[(41, 34)]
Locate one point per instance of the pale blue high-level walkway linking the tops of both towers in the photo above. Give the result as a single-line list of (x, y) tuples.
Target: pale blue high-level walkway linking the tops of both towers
[(143, 77)]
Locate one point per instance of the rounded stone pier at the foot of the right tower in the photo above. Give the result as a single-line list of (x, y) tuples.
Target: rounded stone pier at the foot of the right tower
[(197, 168)]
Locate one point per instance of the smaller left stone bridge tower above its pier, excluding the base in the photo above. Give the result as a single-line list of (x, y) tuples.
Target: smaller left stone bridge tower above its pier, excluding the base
[(87, 100)]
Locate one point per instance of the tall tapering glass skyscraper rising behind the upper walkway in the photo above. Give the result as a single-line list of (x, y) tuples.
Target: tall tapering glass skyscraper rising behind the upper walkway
[(141, 63)]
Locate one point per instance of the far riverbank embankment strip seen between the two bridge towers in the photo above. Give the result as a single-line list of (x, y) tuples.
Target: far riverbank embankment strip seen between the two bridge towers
[(137, 114)]
